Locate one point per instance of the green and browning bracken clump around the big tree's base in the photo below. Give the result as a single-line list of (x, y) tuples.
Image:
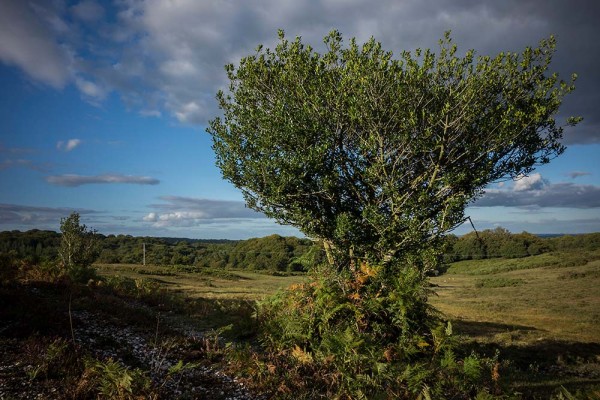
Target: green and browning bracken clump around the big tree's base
[(367, 334)]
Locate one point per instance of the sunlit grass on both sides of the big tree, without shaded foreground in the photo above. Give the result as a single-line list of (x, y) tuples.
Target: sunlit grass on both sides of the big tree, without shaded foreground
[(550, 296)]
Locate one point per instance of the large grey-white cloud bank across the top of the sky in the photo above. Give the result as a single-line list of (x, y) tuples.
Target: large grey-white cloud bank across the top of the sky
[(168, 57)]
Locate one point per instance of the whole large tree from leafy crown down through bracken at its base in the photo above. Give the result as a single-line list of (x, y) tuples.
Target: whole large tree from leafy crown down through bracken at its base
[(377, 157)]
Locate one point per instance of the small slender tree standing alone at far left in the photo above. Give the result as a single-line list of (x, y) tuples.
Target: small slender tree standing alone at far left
[(78, 247)]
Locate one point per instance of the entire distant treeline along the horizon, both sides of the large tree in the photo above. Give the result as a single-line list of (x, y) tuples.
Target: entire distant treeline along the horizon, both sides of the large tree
[(274, 253)]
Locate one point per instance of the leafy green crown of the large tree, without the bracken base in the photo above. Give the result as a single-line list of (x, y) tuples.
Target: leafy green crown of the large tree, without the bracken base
[(379, 156)]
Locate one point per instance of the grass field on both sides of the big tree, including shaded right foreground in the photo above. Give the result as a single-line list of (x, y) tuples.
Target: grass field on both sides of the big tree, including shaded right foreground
[(541, 313)]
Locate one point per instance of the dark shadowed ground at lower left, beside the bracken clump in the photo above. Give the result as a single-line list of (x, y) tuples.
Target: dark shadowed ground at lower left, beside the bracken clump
[(50, 331)]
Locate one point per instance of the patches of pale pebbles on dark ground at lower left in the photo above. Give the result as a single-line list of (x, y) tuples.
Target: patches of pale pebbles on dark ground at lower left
[(106, 341)]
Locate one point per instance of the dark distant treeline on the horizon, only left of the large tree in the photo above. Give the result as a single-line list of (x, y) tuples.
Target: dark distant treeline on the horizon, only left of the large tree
[(274, 253)]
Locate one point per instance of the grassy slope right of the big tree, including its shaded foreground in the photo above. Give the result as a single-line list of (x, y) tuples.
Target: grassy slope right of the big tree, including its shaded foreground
[(542, 313)]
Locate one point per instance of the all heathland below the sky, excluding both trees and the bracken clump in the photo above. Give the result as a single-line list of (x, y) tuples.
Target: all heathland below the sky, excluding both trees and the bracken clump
[(185, 324)]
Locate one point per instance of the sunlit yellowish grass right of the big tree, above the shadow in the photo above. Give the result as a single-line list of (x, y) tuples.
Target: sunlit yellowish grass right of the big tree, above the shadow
[(556, 300)]
